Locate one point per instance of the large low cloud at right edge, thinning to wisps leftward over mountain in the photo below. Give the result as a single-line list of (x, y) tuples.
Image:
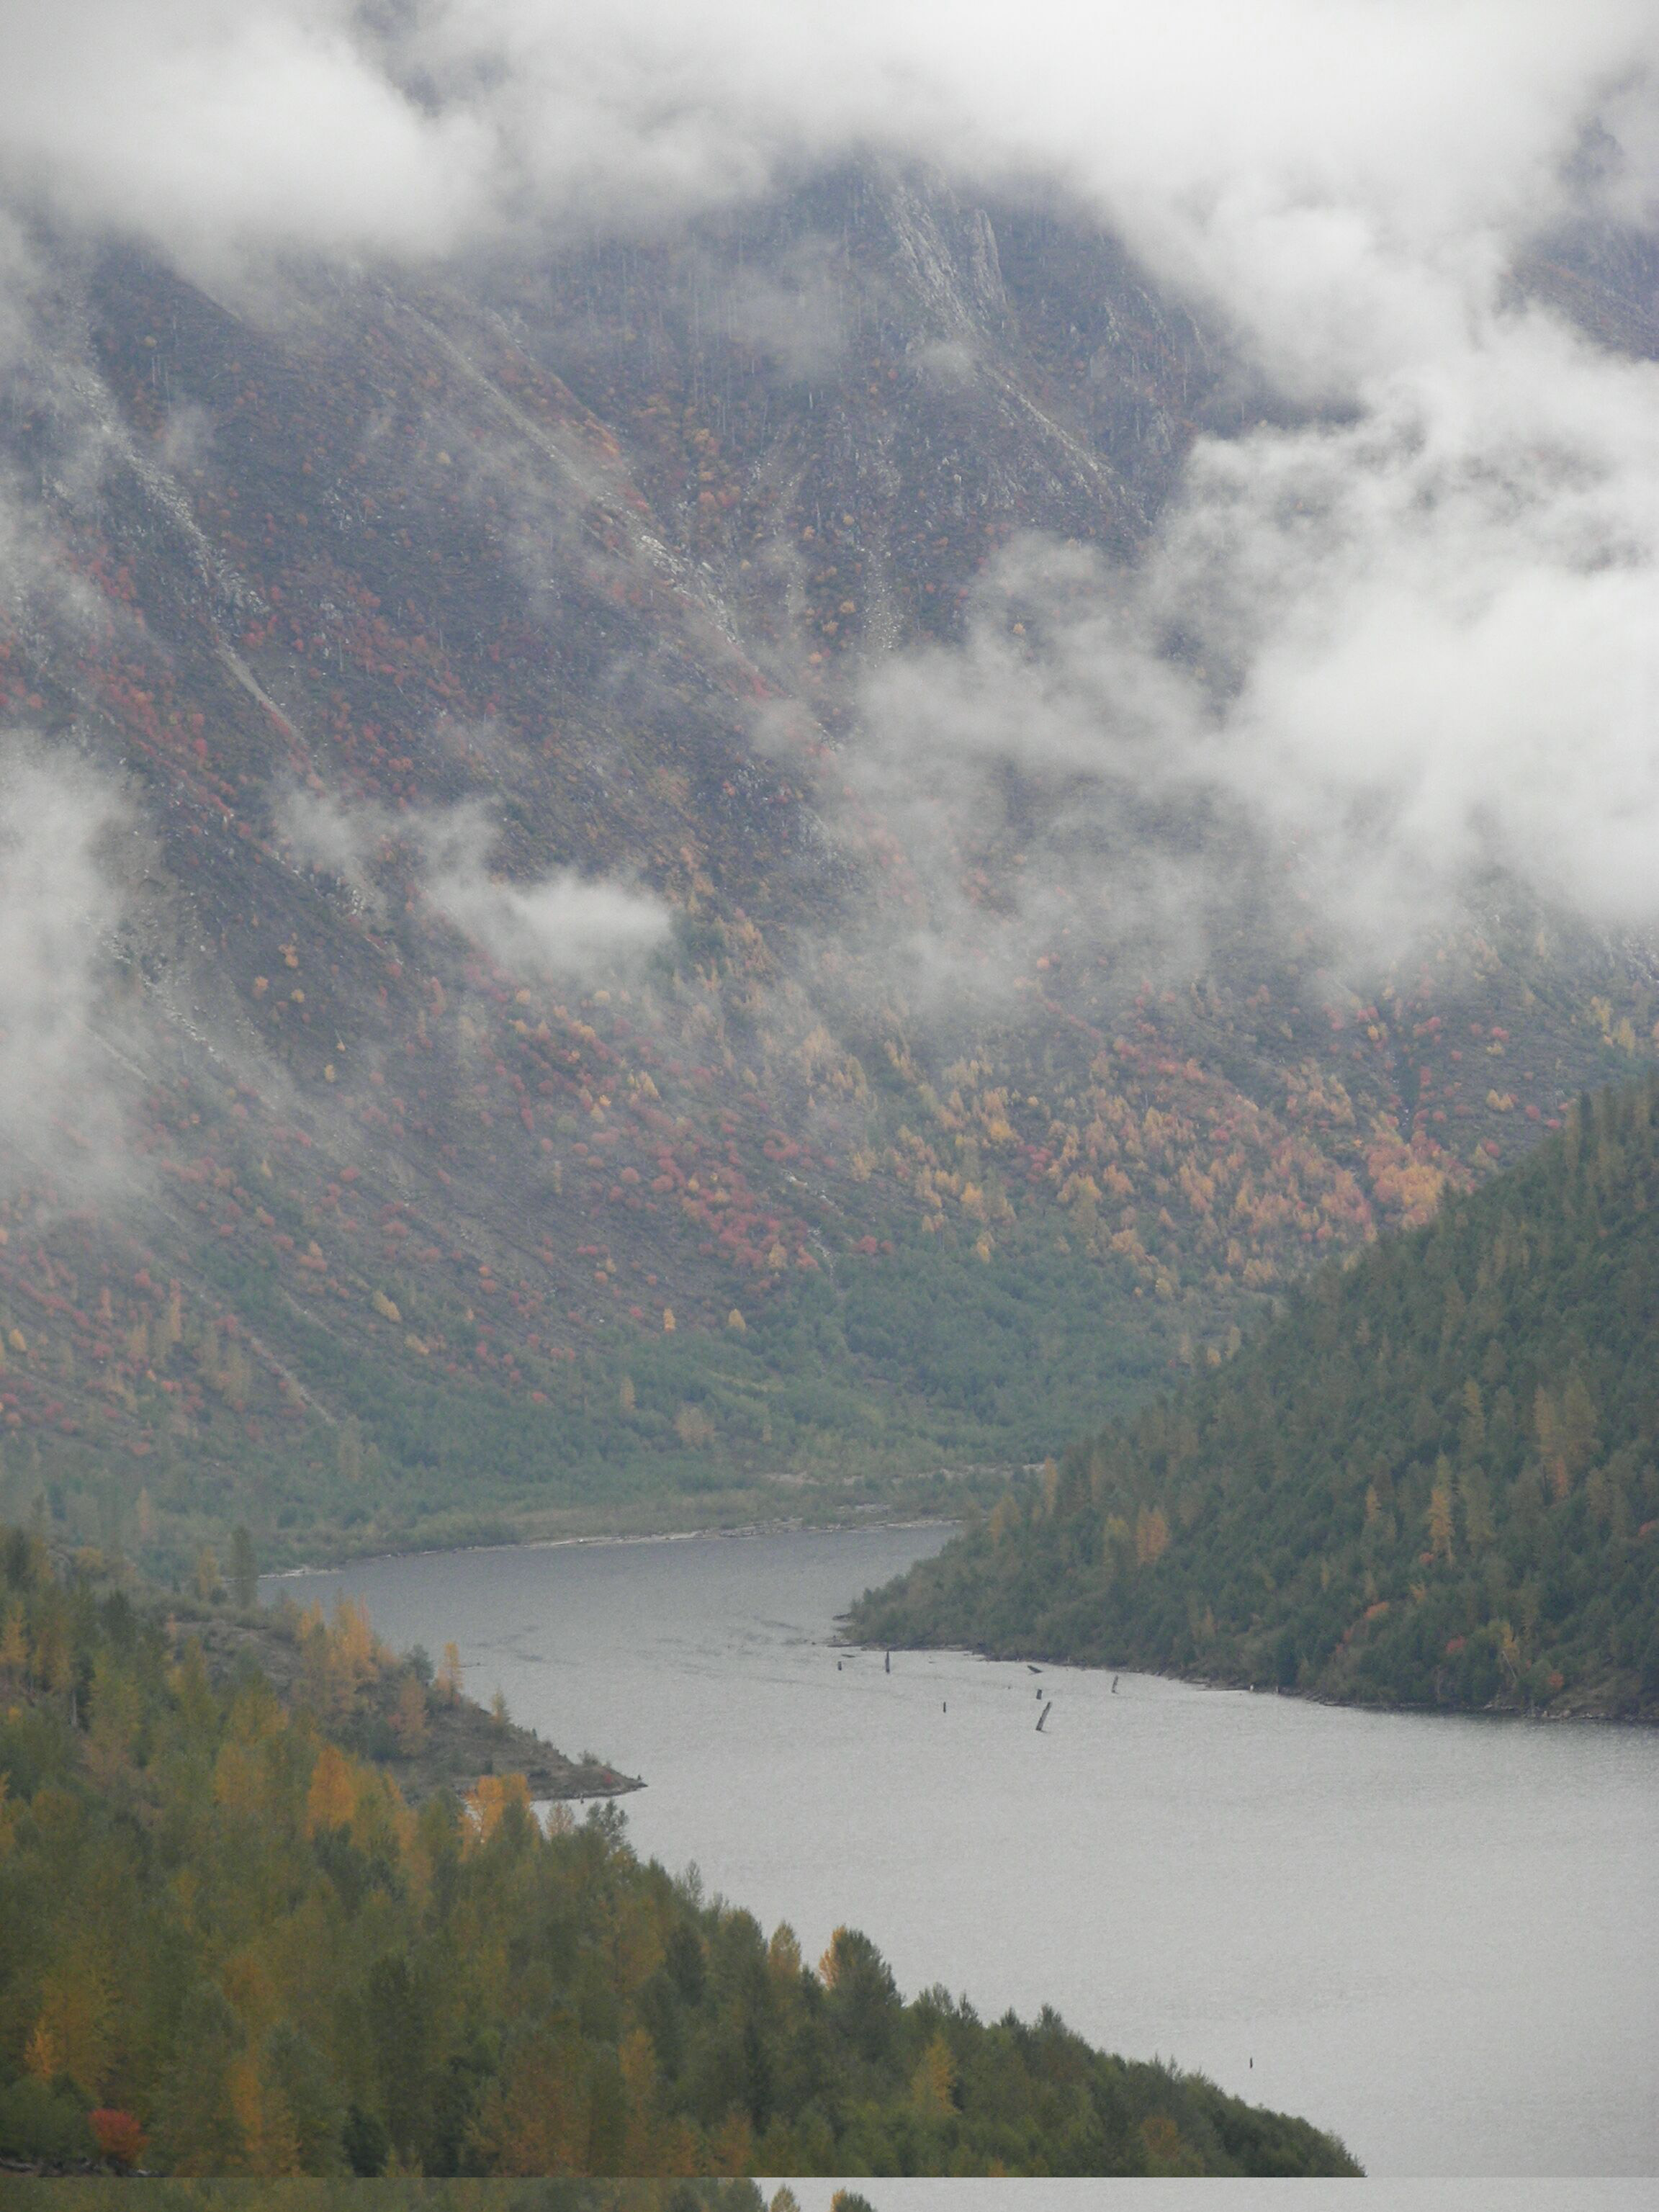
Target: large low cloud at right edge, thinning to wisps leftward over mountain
[(1399, 656)]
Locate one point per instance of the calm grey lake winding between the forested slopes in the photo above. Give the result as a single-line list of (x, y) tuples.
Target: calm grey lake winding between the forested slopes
[(1439, 1939)]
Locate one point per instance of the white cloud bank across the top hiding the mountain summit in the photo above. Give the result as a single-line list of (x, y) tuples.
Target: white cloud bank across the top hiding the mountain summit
[(1324, 167)]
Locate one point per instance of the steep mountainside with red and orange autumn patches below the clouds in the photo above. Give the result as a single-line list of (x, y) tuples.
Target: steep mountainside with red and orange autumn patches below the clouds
[(530, 1083)]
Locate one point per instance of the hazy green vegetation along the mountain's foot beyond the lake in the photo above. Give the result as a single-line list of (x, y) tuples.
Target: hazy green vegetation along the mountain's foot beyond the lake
[(857, 1386)]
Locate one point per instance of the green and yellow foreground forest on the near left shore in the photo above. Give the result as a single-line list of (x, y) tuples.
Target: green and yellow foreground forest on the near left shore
[(229, 1945)]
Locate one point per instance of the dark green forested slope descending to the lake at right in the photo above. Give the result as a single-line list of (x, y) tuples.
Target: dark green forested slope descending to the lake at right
[(1434, 1481)]
